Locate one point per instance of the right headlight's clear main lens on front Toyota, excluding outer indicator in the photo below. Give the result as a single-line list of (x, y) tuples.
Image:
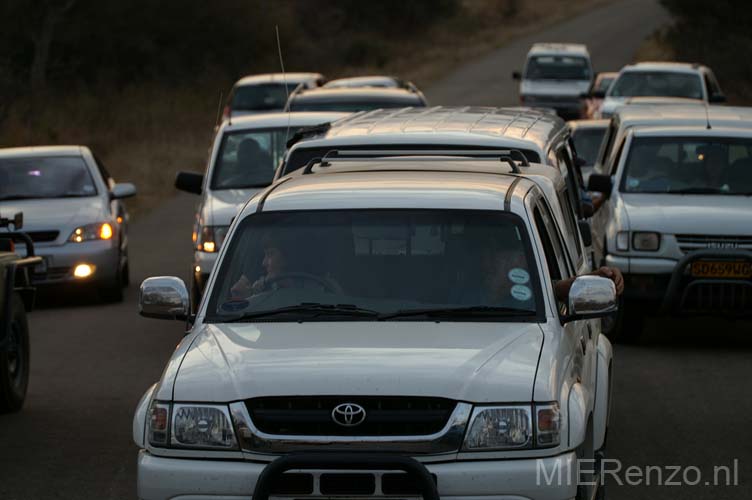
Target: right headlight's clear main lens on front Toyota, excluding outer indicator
[(500, 428)]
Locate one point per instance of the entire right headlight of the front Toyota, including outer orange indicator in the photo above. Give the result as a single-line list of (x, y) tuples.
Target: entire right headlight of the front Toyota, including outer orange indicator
[(512, 427)]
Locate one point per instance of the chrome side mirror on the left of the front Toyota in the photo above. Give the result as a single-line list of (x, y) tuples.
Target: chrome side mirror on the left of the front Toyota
[(164, 297)]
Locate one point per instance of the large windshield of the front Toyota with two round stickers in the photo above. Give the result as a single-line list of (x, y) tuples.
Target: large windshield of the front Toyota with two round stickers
[(377, 262)]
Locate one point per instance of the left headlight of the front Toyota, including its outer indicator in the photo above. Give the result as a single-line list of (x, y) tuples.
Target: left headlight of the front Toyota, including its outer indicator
[(191, 426)]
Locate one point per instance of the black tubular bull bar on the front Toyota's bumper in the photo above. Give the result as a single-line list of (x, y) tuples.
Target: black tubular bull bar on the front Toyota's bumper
[(345, 461)]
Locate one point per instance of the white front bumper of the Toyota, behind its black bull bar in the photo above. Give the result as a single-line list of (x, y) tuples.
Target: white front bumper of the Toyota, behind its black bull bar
[(161, 478)]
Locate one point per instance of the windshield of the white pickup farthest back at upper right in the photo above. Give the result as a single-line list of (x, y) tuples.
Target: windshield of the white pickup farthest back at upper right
[(657, 84)]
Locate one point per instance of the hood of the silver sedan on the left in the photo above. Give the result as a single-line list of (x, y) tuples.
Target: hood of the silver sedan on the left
[(55, 214)]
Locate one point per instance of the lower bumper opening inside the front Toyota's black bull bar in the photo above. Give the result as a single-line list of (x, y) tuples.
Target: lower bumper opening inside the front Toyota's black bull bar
[(302, 484)]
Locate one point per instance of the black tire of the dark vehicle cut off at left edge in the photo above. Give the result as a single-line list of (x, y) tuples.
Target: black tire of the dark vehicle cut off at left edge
[(14, 363)]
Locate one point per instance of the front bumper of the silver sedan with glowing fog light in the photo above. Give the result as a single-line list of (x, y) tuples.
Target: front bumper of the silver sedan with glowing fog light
[(60, 261)]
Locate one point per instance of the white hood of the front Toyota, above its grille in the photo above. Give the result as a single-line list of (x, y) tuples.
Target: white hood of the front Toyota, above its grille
[(476, 362)]
